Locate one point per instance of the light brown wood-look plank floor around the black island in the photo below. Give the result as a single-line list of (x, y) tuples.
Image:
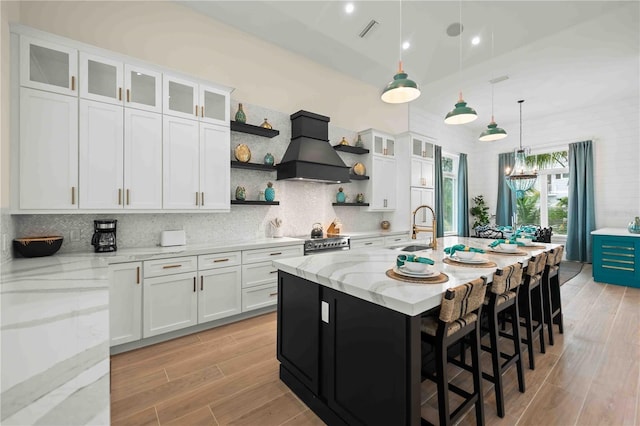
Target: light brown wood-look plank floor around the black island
[(229, 375)]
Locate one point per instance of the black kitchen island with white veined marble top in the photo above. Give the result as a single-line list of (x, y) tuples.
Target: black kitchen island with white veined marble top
[(349, 336)]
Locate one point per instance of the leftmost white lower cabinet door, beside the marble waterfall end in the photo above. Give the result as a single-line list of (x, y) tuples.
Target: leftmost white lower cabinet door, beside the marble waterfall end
[(125, 302)]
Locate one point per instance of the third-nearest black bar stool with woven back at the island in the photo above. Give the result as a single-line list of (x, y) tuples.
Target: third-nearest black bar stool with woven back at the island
[(531, 304)]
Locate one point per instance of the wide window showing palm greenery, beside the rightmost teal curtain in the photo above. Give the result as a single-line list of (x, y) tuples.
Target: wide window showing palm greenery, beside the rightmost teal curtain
[(546, 203)]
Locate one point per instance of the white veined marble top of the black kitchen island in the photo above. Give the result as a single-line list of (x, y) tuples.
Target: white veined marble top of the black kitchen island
[(362, 273)]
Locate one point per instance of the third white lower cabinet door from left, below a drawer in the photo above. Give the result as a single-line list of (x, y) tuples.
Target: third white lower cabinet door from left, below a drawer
[(220, 293)]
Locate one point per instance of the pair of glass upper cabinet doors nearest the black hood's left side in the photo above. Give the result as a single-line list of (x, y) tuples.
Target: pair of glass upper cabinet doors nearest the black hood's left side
[(189, 99)]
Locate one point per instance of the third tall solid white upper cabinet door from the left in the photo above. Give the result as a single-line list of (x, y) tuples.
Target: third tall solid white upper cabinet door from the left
[(142, 159)]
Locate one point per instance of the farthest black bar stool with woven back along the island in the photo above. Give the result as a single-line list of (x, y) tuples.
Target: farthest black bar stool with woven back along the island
[(551, 291)]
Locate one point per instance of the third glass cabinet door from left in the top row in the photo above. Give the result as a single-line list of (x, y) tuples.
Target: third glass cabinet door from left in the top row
[(142, 88)]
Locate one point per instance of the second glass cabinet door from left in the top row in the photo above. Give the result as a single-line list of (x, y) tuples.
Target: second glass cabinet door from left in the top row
[(101, 79)]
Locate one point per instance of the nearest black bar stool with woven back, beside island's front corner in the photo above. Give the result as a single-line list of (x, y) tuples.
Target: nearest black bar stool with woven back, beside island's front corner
[(459, 315)]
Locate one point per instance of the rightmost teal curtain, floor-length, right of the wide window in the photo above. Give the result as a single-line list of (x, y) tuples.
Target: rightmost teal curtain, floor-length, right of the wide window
[(581, 213)]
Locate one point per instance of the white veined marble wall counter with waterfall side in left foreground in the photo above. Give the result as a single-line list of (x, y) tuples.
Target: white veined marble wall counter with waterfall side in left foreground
[(54, 331)]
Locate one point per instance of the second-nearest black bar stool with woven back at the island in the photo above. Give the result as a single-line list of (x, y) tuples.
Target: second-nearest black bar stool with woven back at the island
[(503, 297)]
